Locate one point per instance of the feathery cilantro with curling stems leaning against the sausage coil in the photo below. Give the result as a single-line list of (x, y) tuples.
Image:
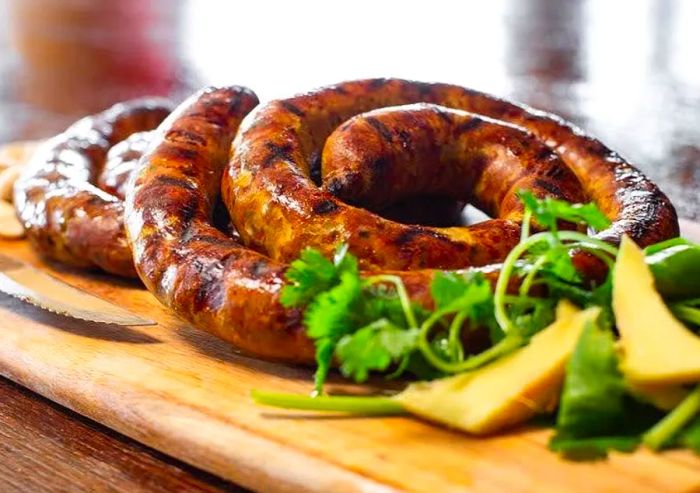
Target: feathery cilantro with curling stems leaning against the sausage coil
[(369, 324)]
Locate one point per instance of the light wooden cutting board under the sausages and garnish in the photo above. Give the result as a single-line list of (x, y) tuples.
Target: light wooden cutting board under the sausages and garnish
[(187, 394)]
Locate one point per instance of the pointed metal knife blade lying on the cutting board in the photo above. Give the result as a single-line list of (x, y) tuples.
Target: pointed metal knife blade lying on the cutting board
[(29, 284)]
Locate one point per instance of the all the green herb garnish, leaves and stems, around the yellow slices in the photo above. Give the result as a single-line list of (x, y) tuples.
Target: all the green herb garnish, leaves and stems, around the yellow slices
[(370, 325)]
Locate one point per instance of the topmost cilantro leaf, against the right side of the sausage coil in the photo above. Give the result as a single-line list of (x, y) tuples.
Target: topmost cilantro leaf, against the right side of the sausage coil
[(548, 211)]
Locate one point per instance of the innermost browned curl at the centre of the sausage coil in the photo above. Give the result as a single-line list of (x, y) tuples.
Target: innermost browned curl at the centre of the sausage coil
[(386, 155)]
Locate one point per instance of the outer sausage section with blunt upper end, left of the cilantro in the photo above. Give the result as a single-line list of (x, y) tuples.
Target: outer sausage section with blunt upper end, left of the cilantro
[(207, 277)]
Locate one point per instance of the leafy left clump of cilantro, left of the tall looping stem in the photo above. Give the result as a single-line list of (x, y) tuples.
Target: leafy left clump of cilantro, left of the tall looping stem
[(369, 324)]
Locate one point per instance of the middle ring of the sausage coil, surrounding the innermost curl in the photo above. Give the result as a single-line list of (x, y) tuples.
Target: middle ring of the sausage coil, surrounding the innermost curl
[(277, 207)]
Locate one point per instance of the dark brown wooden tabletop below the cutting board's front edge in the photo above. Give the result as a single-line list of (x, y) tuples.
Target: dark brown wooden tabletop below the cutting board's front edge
[(44, 446)]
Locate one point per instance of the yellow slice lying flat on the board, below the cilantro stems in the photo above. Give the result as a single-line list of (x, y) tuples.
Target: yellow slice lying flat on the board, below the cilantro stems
[(508, 391)]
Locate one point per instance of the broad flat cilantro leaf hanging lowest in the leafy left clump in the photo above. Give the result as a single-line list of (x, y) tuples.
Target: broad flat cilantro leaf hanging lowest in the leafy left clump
[(374, 347)]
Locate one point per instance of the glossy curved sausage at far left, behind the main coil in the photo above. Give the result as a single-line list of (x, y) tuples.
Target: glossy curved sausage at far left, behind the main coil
[(66, 216)]
